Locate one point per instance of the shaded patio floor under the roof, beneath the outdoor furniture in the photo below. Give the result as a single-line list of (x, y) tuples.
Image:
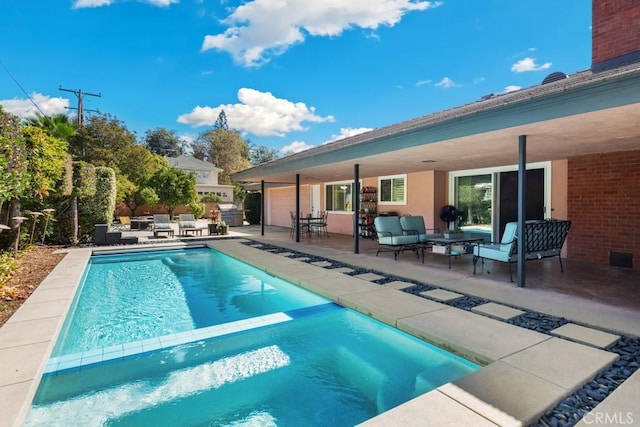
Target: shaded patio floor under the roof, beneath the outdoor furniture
[(614, 286)]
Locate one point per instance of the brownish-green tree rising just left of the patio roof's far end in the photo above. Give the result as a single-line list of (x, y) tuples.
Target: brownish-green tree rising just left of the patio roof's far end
[(227, 150)]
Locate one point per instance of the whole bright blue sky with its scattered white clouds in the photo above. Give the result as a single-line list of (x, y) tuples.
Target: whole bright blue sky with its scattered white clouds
[(289, 74)]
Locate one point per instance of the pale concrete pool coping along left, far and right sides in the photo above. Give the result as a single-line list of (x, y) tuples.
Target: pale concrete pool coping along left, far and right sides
[(525, 372)]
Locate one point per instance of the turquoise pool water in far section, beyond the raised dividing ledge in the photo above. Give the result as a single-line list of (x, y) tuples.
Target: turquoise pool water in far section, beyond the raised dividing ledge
[(131, 297)]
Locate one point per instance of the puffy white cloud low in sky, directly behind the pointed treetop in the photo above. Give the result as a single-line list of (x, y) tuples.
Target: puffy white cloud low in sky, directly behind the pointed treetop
[(259, 113)]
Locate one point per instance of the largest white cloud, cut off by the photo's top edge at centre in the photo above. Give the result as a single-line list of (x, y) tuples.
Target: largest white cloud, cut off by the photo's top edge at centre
[(260, 29)]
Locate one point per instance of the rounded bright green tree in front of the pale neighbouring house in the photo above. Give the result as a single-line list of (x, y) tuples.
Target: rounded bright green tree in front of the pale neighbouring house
[(173, 187)]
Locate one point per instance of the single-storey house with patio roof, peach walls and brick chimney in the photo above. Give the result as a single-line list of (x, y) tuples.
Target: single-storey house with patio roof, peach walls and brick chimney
[(578, 134)]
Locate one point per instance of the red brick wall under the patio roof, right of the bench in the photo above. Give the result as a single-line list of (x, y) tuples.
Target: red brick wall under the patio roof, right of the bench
[(603, 201)]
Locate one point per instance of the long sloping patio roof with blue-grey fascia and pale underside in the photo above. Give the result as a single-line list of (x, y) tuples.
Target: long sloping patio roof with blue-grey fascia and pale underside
[(584, 113)]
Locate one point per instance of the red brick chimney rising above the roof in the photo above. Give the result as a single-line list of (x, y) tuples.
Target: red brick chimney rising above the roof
[(615, 33)]
